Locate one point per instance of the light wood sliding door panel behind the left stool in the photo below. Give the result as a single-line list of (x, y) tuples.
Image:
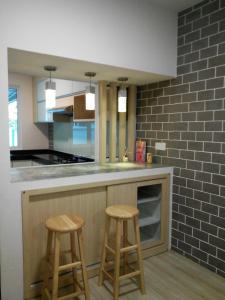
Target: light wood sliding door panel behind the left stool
[(90, 204)]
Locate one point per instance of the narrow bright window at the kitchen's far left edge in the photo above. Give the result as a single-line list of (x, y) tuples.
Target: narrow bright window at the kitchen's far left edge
[(13, 117)]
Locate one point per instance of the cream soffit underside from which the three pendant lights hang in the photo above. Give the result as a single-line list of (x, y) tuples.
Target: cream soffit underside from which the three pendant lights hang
[(30, 63)]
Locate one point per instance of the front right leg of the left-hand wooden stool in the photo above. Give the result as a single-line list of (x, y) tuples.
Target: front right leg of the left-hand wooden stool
[(83, 266)]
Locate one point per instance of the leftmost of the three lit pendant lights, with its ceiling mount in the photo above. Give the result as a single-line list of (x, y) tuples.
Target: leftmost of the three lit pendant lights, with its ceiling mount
[(50, 88)]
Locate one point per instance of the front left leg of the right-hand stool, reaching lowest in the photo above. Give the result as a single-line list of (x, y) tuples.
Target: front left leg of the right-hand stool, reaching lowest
[(117, 261)]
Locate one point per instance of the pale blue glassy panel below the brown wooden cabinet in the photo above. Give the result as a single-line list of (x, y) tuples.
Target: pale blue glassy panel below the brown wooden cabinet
[(83, 133)]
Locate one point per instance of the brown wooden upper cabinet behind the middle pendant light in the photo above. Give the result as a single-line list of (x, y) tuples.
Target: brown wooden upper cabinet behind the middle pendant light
[(79, 110)]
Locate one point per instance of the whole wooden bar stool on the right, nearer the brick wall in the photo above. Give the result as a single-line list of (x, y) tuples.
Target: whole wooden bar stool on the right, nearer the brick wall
[(121, 214)]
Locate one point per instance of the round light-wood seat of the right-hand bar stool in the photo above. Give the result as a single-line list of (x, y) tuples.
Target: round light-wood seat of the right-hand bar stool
[(122, 211)]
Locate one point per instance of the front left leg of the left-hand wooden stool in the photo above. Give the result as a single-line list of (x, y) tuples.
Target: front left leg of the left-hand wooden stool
[(56, 267)]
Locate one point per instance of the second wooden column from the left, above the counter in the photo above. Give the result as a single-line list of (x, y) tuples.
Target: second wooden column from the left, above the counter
[(113, 121)]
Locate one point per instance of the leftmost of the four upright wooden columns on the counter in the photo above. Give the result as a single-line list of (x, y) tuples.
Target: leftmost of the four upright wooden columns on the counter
[(102, 120)]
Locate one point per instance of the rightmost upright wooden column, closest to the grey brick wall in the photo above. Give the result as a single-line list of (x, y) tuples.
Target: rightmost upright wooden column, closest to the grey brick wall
[(132, 94)]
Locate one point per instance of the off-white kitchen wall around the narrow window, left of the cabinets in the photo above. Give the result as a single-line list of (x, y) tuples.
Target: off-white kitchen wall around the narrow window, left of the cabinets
[(33, 136)]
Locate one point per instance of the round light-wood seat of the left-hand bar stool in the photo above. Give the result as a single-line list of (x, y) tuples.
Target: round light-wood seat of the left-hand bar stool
[(64, 223)]
